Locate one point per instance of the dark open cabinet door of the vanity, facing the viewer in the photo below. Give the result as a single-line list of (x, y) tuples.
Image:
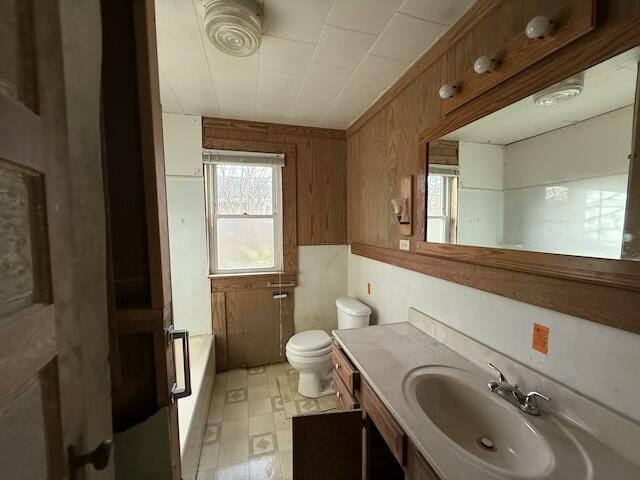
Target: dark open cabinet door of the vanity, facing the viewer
[(328, 446)]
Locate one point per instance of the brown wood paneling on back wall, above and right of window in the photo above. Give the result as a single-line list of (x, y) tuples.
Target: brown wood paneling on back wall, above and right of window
[(321, 173)]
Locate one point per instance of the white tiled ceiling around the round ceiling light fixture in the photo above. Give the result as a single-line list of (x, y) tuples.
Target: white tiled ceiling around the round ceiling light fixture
[(321, 63)]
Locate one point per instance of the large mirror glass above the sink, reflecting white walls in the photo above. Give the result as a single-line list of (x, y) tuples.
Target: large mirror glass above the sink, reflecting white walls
[(549, 173)]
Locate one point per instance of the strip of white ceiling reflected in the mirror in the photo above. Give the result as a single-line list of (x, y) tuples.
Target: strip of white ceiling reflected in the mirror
[(608, 86)]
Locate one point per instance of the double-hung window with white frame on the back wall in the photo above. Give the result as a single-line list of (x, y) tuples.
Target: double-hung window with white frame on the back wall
[(244, 211)]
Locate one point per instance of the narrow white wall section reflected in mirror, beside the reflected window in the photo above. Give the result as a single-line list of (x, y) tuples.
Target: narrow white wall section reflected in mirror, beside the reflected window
[(480, 194)]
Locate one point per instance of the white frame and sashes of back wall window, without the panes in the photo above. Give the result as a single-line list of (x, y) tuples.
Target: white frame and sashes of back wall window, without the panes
[(211, 210)]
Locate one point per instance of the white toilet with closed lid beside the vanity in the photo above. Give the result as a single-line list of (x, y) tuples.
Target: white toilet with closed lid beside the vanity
[(310, 352)]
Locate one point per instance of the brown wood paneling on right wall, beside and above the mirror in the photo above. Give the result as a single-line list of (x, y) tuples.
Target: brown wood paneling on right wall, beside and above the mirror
[(383, 144)]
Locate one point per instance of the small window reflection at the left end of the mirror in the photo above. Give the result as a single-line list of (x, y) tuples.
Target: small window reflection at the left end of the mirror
[(442, 194)]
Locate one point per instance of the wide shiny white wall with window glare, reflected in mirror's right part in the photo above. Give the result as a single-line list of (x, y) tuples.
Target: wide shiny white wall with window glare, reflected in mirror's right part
[(565, 191)]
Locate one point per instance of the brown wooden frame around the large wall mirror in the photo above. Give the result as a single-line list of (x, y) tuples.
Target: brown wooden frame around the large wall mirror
[(606, 291)]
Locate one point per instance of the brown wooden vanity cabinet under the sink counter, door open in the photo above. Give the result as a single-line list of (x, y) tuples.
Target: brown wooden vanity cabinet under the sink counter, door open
[(361, 441)]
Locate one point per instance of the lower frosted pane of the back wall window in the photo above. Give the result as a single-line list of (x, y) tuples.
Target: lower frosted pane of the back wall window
[(245, 243)]
